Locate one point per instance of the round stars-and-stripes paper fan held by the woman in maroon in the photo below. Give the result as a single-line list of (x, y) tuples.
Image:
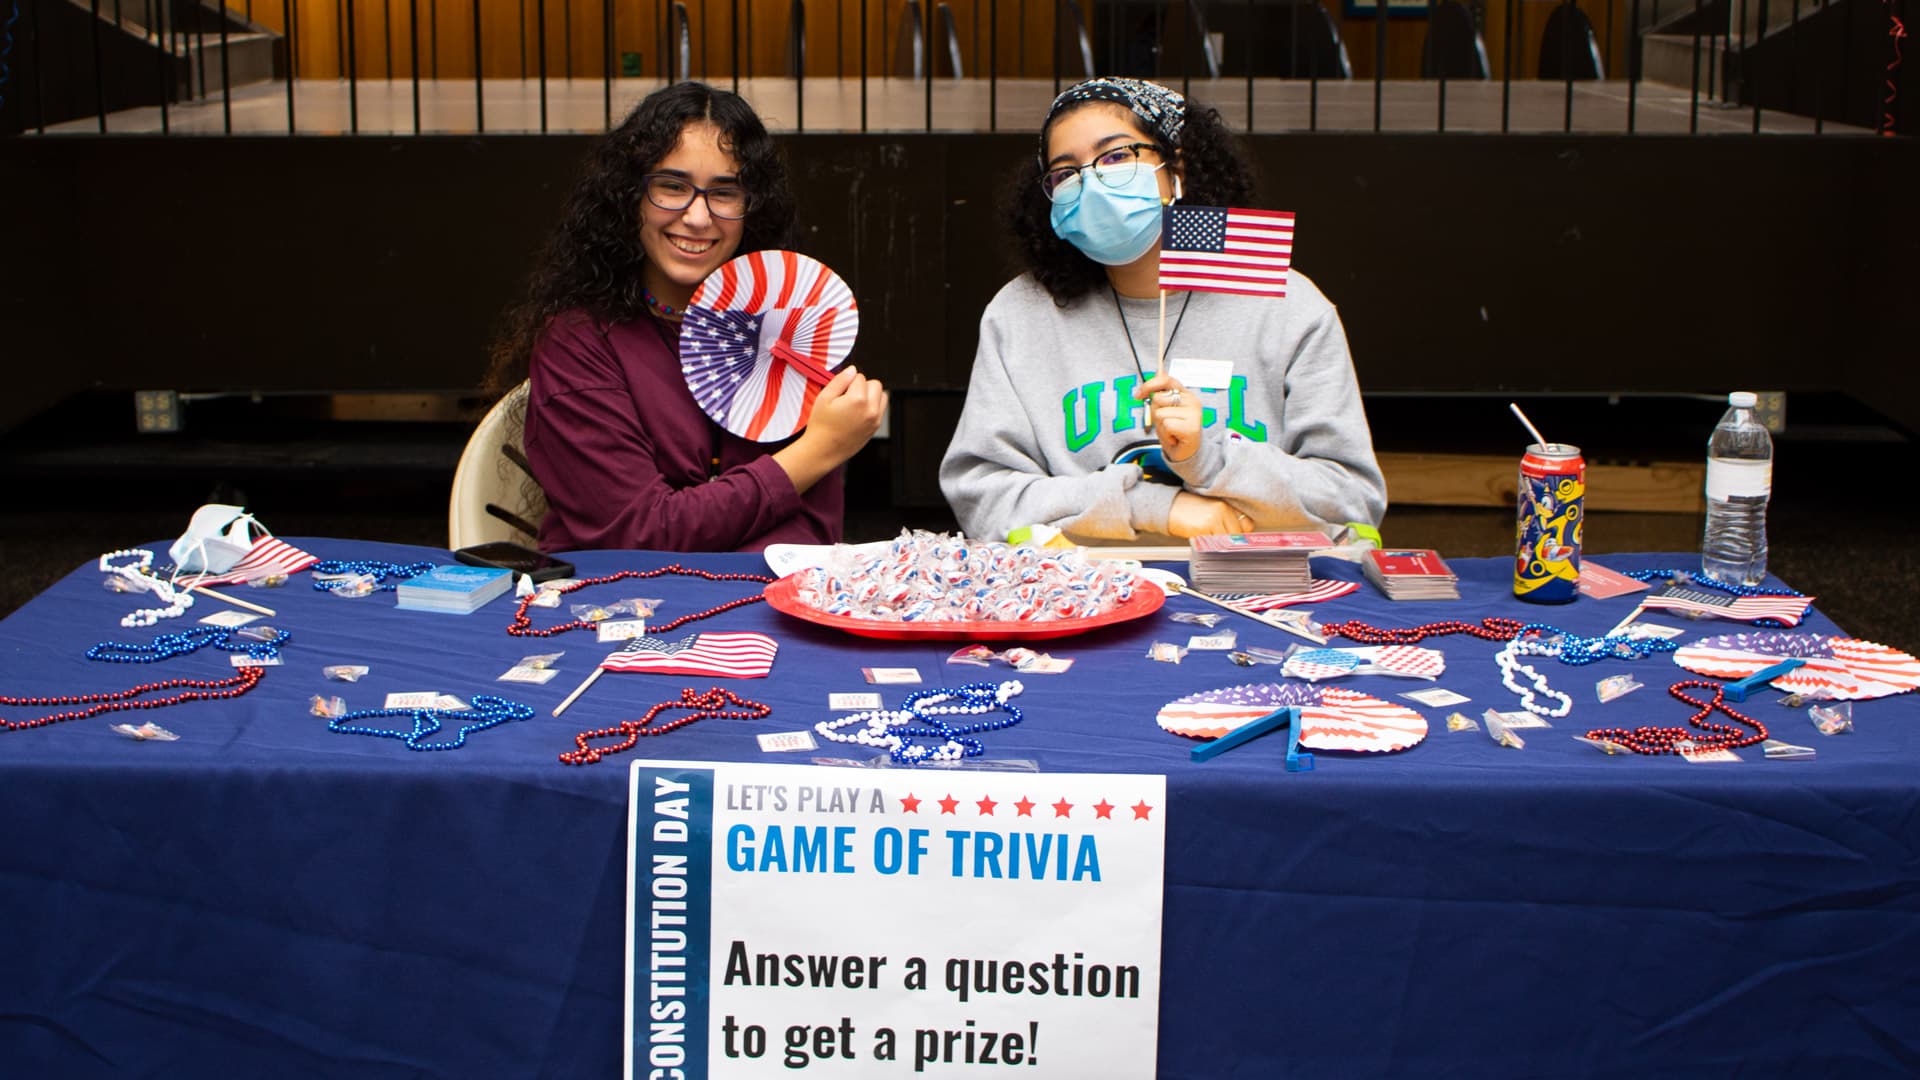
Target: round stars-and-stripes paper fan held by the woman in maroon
[(761, 337)]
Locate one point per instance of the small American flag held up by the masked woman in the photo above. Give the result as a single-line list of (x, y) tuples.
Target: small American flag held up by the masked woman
[(1216, 249)]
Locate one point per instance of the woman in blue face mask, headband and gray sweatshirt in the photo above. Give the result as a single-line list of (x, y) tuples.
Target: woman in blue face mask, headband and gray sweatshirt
[(1055, 410)]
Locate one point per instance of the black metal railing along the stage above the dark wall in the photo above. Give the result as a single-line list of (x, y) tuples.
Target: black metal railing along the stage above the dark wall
[(339, 66)]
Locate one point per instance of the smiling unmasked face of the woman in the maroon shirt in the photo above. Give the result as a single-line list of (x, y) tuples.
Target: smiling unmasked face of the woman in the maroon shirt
[(688, 245)]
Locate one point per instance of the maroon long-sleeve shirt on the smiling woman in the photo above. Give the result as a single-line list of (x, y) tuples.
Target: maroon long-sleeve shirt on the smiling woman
[(629, 460)]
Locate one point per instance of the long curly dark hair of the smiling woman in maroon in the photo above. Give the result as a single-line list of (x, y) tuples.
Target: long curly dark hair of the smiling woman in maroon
[(592, 258)]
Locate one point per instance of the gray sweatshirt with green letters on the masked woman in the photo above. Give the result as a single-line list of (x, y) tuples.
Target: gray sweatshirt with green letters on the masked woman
[(1051, 405)]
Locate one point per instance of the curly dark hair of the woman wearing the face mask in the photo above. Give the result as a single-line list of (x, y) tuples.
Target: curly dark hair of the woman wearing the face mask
[(1214, 174)]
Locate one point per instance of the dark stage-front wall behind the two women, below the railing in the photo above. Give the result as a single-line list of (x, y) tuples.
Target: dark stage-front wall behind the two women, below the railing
[(1595, 264)]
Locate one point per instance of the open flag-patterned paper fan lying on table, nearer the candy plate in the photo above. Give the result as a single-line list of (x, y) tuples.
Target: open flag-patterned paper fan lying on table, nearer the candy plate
[(1330, 718)]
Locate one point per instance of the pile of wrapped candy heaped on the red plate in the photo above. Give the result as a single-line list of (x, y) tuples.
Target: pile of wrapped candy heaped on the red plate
[(930, 577)]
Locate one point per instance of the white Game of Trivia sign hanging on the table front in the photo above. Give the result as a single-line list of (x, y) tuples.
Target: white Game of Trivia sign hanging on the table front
[(794, 920)]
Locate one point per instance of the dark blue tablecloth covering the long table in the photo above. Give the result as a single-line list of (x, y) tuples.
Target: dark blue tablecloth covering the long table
[(272, 898)]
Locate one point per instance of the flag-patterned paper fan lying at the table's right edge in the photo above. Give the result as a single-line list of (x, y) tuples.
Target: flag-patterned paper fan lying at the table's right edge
[(1836, 668)]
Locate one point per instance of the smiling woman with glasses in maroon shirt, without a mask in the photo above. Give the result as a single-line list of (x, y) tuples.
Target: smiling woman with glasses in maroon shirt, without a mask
[(619, 445)]
